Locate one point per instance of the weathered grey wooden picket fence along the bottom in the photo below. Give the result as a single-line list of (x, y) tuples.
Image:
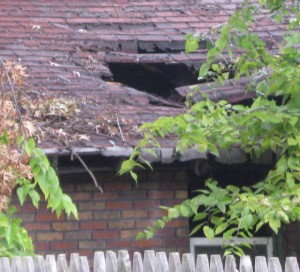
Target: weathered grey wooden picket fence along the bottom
[(151, 262)]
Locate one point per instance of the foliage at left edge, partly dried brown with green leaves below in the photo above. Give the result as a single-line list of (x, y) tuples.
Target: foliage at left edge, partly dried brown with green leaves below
[(23, 167)]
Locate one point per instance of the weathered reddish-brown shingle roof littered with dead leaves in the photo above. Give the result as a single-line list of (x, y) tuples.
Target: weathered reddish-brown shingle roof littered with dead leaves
[(70, 47)]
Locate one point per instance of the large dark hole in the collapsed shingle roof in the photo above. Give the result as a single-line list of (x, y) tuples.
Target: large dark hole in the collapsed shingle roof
[(155, 78)]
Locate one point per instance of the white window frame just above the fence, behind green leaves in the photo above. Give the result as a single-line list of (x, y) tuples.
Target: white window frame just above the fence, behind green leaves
[(268, 241)]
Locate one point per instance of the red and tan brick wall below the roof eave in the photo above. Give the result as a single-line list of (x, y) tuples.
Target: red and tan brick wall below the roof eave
[(111, 220)]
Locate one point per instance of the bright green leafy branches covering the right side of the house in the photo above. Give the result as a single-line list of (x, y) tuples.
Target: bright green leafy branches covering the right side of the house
[(271, 122)]
